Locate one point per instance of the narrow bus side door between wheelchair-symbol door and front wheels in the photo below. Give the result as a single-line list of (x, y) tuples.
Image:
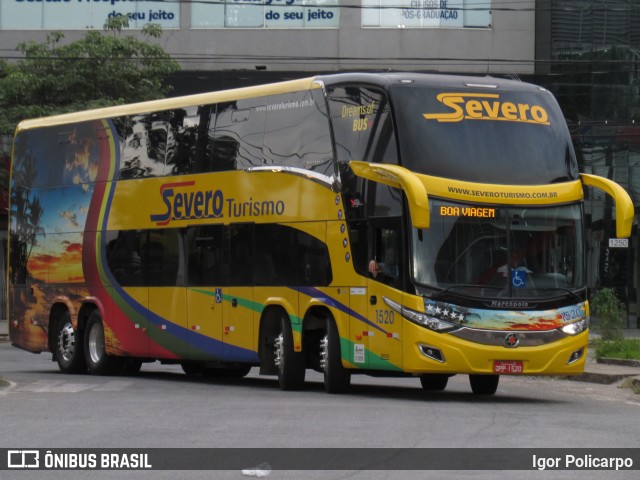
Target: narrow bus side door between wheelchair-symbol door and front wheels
[(238, 326)]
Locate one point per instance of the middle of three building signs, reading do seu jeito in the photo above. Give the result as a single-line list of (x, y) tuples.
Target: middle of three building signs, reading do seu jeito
[(265, 14)]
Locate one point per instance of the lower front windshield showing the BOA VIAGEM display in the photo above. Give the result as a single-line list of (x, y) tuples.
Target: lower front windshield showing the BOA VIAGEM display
[(499, 252)]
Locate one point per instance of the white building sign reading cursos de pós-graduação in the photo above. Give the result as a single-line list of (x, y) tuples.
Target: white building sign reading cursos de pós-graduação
[(426, 13)]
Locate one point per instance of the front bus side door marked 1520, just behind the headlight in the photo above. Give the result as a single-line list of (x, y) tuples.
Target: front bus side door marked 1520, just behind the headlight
[(385, 281)]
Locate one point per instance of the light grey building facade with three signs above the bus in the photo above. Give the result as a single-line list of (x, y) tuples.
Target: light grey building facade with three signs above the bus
[(468, 36)]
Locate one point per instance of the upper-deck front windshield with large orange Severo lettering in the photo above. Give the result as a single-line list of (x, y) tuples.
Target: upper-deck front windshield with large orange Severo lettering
[(498, 137)]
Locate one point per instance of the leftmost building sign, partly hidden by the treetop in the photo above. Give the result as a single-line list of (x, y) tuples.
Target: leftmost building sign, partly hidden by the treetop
[(85, 14)]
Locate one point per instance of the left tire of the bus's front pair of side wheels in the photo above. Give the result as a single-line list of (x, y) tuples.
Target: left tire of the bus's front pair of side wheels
[(291, 364)]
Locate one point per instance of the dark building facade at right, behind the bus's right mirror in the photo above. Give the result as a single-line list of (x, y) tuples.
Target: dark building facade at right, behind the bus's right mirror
[(587, 54)]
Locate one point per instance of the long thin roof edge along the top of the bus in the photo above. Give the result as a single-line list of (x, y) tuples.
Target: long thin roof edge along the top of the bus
[(384, 80)]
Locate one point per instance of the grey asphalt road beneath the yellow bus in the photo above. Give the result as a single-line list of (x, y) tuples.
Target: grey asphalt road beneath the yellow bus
[(163, 408)]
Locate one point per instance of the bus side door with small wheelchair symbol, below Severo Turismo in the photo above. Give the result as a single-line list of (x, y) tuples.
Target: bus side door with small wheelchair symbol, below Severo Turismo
[(206, 307)]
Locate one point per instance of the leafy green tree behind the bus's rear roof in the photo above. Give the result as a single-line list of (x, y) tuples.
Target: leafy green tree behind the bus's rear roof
[(101, 69)]
